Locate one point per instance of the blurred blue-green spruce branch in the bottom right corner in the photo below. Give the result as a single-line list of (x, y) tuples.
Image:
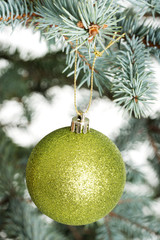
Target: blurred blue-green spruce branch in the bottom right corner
[(121, 224)]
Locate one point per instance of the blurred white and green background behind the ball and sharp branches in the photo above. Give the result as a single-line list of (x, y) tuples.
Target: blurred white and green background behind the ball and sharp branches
[(37, 98)]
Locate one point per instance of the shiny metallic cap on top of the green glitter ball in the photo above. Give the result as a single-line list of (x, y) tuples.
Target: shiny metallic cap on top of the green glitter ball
[(80, 124)]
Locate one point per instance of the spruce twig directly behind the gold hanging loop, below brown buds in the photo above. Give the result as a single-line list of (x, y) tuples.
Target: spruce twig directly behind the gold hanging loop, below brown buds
[(84, 64)]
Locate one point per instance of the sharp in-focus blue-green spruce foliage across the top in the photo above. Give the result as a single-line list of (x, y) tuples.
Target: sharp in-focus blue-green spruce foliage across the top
[(94, 23)]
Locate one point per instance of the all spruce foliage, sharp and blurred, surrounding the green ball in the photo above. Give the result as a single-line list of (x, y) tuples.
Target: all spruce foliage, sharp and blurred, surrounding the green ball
[(123, 74)]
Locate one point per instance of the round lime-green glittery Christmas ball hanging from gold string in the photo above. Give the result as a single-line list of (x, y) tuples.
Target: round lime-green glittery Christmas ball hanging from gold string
[(75, 179)]
